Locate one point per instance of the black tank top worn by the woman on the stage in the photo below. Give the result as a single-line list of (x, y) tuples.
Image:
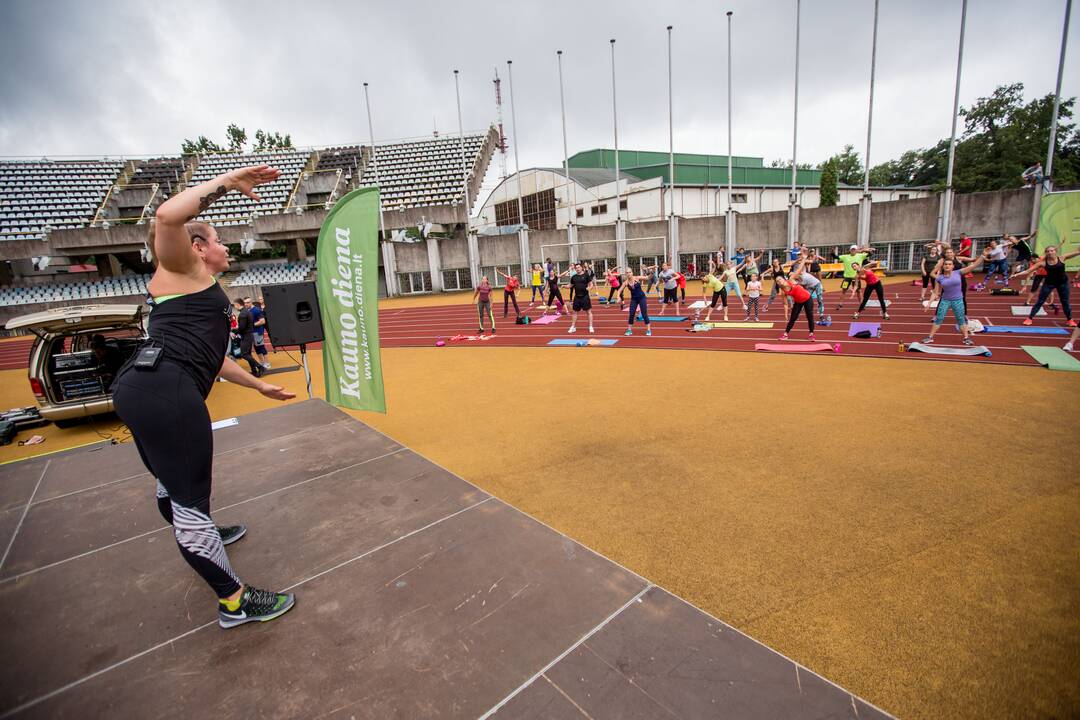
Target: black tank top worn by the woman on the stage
[(194, 331)]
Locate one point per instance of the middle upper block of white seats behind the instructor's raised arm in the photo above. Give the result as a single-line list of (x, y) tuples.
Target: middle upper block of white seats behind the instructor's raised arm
[(236, 209)]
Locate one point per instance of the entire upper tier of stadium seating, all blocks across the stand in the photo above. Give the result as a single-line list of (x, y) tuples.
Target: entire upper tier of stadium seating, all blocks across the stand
[(58, 195)]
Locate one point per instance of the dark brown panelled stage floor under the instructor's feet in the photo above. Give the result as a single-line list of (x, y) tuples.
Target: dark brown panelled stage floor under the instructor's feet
[(418, 596)]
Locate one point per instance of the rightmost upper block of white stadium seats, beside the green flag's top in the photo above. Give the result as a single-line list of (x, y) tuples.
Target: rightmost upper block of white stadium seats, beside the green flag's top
[(423, 173)]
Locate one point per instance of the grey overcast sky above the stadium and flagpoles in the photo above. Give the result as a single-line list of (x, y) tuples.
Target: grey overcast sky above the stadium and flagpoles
[(136, 78)]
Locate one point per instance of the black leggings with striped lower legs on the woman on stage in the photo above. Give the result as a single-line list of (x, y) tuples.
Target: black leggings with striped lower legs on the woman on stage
[(171, 426)]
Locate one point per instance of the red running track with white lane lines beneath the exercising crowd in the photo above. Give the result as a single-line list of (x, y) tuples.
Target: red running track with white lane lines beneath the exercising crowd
[(407, 328)]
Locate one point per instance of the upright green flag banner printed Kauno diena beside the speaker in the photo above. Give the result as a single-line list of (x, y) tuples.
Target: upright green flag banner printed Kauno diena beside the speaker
[(348, 281)]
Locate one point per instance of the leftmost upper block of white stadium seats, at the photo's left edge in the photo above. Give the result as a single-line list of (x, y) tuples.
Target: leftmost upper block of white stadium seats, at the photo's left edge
[(57, 195)]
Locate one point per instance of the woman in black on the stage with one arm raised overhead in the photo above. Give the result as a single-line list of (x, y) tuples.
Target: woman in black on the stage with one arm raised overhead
[(160, 393)]
